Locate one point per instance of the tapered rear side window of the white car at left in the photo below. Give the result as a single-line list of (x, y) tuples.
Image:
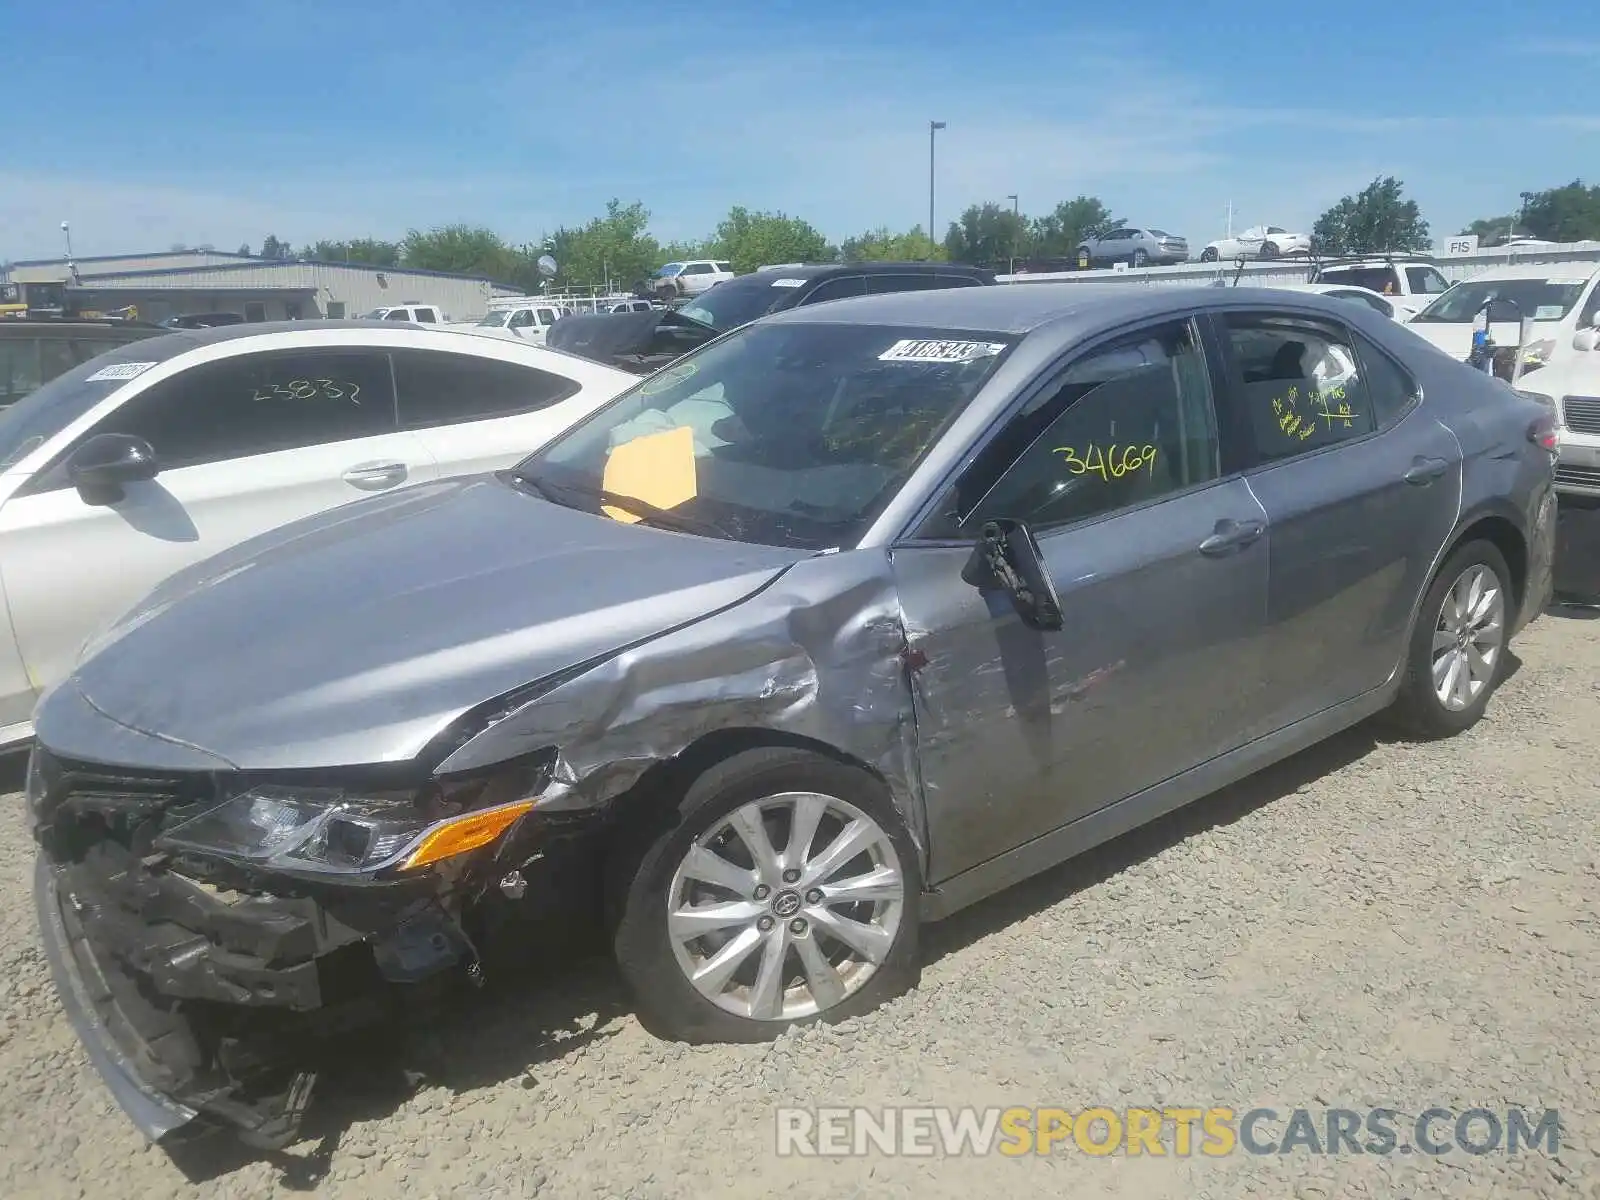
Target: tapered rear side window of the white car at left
[(444, 390)]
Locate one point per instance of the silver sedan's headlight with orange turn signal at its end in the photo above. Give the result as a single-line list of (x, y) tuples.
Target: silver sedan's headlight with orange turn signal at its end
[(337, 831)]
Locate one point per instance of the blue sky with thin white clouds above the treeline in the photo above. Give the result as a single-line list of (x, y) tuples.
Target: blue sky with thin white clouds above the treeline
[(164, 122)]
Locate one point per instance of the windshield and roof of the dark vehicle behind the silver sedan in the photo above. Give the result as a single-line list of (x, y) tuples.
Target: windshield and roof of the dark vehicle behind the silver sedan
[(743, 300)]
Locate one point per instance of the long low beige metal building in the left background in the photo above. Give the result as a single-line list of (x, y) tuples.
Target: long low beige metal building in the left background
[(199, 281)]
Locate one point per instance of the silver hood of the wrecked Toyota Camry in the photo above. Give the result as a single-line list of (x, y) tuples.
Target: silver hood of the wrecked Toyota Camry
[(358, 636)]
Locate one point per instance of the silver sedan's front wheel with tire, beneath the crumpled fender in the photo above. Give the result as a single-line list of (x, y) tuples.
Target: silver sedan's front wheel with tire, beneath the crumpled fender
[(785, 892)]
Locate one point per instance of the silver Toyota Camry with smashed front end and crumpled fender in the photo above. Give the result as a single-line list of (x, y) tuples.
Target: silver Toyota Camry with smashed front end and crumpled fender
[(844, 622)]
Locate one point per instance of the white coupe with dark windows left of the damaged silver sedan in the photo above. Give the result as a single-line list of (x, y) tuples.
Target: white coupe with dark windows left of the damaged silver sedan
[(169, 450)]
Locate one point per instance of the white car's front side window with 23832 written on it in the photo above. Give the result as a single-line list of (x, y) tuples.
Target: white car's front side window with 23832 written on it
[(257, 404)]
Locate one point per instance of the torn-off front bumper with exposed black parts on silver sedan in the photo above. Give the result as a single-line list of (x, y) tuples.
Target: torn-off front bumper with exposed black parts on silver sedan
[(209, 1002)]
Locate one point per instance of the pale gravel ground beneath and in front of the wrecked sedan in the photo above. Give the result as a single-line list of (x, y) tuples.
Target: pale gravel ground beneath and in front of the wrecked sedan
[(1370, 924)]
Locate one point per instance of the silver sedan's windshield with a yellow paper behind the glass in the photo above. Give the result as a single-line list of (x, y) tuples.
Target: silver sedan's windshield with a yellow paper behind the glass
[(778, 434)]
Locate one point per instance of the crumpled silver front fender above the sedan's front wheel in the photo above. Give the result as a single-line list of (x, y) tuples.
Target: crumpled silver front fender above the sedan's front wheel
[(818, 655)]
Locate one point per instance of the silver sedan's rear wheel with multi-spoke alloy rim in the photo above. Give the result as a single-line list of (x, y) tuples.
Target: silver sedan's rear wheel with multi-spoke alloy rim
[(1458, 646)]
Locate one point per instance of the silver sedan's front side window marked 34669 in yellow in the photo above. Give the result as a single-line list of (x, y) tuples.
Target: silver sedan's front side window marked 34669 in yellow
[(1130, 423)]
